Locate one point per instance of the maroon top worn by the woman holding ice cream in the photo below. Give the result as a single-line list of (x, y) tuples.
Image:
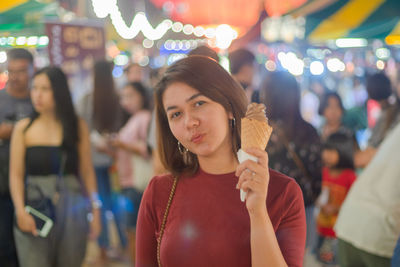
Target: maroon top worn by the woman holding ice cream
[(208, 225)]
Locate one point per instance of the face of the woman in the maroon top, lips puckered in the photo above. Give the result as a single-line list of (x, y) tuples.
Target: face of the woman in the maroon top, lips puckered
[(200, 124)]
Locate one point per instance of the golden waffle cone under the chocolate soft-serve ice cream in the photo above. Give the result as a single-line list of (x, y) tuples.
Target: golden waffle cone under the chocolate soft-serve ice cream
[(255, 133)]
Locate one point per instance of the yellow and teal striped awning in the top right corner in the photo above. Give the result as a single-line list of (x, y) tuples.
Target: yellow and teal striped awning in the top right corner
[(332, 19)]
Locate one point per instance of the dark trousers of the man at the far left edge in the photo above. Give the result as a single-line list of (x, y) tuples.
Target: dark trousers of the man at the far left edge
[(8, 254)]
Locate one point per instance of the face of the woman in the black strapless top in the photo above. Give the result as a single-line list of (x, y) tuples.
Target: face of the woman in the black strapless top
[(42, 94)]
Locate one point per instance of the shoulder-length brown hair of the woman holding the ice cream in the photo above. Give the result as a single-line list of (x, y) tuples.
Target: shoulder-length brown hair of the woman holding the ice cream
[(214, 82)]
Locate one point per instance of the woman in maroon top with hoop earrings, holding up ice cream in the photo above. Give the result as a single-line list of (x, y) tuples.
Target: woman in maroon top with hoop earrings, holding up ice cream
[(194, 216)]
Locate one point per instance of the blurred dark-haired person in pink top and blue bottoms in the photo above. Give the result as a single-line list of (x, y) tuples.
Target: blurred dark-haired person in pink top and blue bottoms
[(132, 139)]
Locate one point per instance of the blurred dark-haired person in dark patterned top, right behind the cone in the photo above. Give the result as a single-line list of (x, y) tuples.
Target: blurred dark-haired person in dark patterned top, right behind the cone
[(295, 147)]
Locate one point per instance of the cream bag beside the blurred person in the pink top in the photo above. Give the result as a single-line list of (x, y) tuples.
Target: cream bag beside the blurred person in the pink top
[(142, 171)]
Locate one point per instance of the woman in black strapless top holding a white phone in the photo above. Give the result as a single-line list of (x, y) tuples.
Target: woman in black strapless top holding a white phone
[(50, 157)]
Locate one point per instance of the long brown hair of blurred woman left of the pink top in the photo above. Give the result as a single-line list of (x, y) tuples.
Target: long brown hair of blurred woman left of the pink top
[(106, 108)]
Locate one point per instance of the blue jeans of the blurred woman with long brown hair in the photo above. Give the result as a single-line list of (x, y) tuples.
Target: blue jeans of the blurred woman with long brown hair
[(104, 190)]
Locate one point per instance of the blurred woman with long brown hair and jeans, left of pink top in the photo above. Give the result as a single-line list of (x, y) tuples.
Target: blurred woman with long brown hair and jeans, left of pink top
[(101, 110)]
